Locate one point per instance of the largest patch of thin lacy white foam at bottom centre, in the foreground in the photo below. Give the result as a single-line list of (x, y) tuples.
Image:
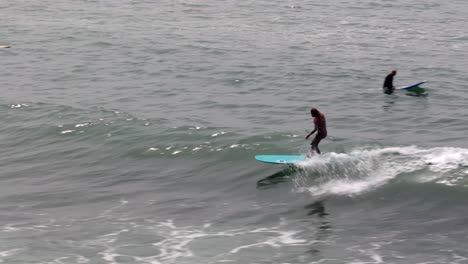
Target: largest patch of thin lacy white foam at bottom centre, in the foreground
[(177, 243)]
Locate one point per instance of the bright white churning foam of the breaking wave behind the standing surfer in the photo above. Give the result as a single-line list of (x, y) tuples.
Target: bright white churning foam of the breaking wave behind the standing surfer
[(363, 170)]
